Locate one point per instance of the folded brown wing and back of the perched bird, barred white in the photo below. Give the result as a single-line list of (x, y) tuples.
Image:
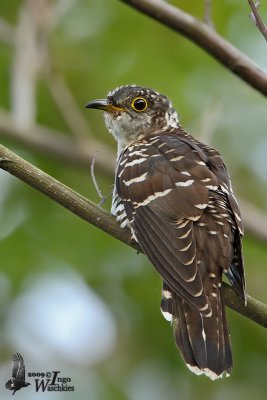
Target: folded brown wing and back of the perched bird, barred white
[(179, 203)]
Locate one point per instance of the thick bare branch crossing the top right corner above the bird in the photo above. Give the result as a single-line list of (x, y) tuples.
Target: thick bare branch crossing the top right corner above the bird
[(206, 38)]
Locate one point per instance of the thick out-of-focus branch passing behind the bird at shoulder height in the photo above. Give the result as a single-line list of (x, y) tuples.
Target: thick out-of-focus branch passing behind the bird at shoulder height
[(59, 146)]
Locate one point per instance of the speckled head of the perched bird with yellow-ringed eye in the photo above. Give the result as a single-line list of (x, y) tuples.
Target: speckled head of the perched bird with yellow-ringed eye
[(132, 112)]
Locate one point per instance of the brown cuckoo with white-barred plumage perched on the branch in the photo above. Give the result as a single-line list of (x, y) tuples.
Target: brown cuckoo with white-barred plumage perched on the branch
[(174, 193)]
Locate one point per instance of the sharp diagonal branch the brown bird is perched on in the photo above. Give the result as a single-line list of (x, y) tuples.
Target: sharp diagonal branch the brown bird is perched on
[(88, 211)]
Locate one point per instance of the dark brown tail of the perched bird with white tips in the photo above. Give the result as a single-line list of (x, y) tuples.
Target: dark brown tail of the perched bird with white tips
[(203, 341)]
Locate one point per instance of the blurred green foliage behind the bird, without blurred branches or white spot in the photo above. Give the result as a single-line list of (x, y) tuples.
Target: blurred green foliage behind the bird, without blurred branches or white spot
[(98, 45)]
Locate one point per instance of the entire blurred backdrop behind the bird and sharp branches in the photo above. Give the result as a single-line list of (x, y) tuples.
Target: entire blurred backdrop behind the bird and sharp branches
[(72, 298)]
